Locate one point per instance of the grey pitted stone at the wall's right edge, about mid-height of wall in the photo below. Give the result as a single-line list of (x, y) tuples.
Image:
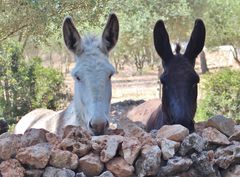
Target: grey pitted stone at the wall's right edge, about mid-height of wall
[(225, 156)]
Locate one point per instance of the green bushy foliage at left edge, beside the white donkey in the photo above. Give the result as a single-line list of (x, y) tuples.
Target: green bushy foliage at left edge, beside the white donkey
[(25, 85)]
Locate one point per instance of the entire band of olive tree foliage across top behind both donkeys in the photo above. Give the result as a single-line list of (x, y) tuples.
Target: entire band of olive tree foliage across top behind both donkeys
[(34, 22)]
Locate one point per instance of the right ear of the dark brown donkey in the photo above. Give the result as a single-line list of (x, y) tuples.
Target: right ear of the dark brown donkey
[(196, 42)]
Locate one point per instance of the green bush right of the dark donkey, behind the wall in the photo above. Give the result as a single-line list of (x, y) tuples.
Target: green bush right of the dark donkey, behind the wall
[(221, 95)]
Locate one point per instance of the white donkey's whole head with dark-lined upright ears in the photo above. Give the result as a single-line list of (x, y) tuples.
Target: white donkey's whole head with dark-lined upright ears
[(92, 73)]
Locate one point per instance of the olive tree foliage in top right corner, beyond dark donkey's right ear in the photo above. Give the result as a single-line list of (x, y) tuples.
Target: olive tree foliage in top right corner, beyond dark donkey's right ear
[(223, 21)]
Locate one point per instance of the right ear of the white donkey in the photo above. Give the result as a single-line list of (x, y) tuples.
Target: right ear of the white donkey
[(110, 33)]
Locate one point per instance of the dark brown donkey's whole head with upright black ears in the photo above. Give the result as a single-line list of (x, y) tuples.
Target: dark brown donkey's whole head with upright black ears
[(179, 79)]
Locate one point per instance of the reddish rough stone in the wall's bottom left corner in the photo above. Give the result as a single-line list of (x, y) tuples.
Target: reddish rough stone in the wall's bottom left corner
[(11, 168)]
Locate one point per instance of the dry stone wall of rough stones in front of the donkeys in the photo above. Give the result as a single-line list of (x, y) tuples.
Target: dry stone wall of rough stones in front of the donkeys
[(212, 151)]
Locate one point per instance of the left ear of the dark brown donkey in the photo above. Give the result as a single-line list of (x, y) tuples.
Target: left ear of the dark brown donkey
[(161, 41)]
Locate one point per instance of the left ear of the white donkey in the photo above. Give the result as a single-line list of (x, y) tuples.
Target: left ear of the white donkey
[(71, 36)]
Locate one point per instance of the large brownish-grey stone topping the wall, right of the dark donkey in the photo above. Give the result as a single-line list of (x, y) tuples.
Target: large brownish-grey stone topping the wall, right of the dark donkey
[(222, 124)]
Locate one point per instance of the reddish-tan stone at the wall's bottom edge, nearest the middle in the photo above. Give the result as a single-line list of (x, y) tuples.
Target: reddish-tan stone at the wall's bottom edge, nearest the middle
[(119, 167)]
